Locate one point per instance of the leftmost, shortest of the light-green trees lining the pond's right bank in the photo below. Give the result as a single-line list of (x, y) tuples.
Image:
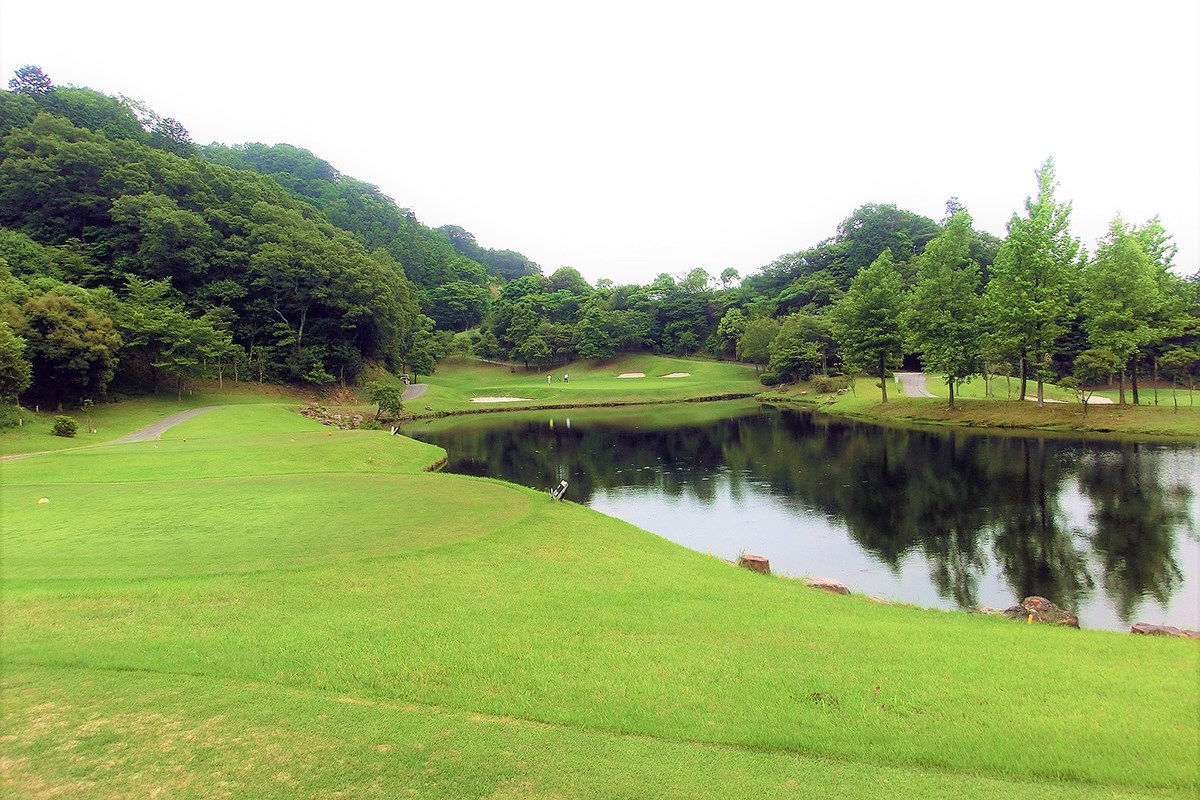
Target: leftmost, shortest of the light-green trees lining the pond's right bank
[(867, 321)]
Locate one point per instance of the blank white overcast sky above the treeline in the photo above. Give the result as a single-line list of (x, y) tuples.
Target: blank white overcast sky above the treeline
[(634, 139)]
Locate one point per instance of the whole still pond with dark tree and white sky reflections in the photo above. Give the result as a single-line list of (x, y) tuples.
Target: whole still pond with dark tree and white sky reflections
[(943, 519)]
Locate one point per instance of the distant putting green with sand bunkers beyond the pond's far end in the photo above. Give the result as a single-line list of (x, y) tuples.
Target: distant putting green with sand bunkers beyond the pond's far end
[(459, 381)]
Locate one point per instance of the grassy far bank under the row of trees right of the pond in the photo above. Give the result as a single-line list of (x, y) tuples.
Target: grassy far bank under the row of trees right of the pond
[(975, 411)]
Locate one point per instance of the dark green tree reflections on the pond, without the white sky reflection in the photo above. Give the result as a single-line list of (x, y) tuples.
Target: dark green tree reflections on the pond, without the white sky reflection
[(969, 506)]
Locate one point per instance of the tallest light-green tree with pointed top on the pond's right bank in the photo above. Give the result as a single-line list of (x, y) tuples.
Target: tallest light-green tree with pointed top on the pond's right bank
[(1033, 279)]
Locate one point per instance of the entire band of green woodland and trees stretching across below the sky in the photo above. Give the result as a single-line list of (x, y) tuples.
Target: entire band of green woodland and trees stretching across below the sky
[(133, 258)]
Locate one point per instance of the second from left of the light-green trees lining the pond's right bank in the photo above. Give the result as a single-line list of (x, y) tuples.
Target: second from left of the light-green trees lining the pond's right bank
[(944, 316)]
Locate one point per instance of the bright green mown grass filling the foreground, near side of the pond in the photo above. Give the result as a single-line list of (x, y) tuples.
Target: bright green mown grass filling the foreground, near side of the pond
[(304, 613)]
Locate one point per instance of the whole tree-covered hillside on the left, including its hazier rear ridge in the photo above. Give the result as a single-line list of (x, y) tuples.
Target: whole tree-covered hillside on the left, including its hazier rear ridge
[(128, 254)]
